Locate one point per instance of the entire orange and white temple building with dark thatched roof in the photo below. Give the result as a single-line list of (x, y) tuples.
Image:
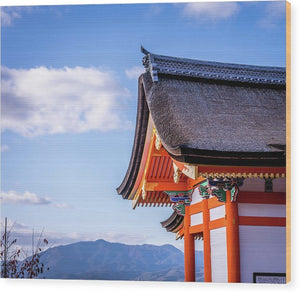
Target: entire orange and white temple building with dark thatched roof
[(210, 142)]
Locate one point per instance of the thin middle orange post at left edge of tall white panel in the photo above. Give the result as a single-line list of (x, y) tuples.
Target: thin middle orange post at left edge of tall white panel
[(206, 242)]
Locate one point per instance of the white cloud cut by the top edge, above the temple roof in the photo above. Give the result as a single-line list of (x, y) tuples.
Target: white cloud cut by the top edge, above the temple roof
[(210, 10)]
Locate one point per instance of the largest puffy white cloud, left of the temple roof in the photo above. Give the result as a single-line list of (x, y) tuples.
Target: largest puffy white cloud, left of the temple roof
[(42, 100)]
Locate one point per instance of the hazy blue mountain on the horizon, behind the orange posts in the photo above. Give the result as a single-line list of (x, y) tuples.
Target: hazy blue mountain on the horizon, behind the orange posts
[(102, 260)]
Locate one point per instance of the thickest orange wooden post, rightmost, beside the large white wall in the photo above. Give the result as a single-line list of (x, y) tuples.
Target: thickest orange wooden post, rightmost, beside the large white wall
[(233, 244)]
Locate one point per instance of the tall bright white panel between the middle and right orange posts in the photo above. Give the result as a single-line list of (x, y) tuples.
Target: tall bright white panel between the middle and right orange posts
[(218, 255)]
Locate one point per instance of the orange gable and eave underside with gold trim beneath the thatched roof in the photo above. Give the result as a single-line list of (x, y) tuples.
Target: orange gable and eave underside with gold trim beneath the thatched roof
[(162, 173)]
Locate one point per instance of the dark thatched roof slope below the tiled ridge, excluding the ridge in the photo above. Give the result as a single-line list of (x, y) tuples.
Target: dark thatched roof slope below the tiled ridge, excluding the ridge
[(210, 120)]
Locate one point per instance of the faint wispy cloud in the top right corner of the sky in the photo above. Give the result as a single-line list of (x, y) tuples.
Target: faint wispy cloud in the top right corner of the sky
[(274, 13)]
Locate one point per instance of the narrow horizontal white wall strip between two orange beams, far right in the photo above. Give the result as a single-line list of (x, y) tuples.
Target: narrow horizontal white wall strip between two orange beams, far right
[(261, 210)]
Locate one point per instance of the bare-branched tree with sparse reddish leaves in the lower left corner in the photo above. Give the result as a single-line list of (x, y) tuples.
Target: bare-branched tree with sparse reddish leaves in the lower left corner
[(12, 266)]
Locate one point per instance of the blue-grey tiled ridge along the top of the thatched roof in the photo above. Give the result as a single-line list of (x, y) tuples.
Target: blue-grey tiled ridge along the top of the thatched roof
[(191, 68)]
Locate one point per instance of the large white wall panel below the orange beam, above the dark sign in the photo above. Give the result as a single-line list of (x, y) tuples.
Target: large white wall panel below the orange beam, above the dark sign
[(262, 249)]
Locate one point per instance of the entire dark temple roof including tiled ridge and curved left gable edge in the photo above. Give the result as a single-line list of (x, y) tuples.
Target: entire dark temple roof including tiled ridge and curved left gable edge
[(209, 113)]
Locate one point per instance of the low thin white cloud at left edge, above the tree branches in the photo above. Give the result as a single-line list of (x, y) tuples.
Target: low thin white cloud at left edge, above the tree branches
[(28, 198)]
